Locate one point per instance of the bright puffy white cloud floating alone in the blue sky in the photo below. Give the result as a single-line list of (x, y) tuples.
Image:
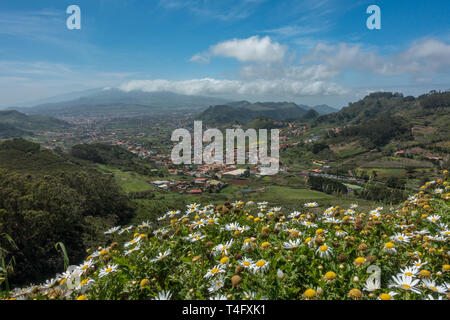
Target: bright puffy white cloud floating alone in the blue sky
[(253, 49)]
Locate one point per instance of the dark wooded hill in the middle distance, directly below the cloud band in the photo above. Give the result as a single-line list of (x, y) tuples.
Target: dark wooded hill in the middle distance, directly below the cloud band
[(243, 112)]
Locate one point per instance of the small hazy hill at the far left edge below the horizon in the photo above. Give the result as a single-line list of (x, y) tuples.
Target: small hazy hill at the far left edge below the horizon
[(20, 121)]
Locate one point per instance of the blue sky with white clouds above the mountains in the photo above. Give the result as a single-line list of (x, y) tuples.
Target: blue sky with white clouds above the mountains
[(307, 51)]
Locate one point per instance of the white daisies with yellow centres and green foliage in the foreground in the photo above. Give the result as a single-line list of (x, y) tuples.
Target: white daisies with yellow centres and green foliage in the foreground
[(254, 251)]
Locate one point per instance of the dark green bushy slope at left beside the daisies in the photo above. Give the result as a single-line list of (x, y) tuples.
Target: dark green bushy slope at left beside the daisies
[(48, 197)]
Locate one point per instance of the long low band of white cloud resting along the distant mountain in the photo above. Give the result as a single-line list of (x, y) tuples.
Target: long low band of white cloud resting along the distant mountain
[(255, 88)]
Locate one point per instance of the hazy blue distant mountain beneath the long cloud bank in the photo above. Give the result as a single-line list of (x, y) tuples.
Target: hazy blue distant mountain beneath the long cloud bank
[(121, 103)]
